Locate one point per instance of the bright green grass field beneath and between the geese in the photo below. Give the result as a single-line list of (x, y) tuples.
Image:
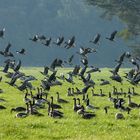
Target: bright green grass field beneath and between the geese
[(72, 126)]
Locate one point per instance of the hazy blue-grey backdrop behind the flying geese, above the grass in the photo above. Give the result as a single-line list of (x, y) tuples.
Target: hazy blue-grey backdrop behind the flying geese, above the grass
[(23, 19)]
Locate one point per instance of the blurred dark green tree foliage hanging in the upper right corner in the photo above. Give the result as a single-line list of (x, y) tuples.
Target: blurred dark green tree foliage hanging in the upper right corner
[(129, 12)]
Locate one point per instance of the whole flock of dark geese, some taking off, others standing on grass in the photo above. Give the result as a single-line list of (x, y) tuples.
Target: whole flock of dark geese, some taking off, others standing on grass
[(82, 73)]
